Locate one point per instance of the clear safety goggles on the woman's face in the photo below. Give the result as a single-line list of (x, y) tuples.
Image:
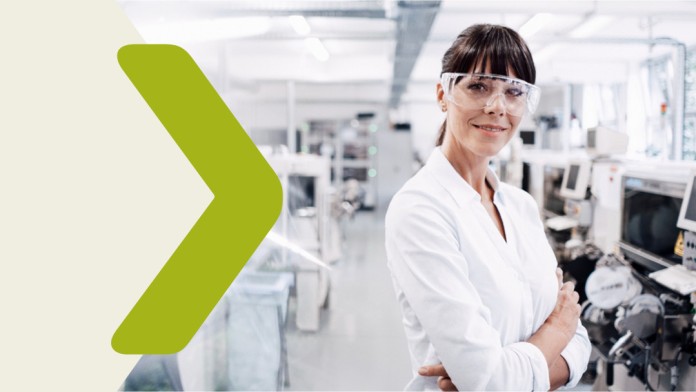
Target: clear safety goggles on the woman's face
[(477, 91)]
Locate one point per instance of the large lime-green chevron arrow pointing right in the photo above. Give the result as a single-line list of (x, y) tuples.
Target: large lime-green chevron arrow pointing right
[(247, 201)]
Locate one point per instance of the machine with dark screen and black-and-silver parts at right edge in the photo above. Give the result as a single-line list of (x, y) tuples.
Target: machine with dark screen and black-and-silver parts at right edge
[(639, 307)]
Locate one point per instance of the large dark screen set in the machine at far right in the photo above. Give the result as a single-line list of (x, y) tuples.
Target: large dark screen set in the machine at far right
[(649, 221)]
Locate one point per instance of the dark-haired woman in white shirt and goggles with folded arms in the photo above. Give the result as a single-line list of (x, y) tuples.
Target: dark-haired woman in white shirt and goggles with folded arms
[(473, 272)]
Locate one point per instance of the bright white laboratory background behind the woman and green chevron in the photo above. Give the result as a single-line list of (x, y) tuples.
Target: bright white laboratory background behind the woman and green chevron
[(340, 99)]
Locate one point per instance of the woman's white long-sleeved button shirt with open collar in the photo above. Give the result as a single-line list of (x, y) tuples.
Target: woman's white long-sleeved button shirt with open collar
[(469, 299)]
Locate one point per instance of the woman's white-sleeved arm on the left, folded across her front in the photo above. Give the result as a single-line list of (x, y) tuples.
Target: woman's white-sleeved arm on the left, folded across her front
[(425, 259)]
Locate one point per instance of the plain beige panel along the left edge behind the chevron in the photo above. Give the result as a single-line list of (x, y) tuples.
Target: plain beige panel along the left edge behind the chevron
[(94, 194)]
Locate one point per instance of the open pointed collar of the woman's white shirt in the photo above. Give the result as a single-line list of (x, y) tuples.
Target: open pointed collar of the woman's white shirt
[(443, 171)]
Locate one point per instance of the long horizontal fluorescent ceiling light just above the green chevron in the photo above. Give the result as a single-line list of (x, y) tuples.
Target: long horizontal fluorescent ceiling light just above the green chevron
[(205, 29)]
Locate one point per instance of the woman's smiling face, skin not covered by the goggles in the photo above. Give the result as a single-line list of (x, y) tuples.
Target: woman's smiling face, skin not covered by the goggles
[(481, 131)]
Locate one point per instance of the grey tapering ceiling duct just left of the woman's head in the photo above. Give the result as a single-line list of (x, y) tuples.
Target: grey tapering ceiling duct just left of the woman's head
[(414, 21)]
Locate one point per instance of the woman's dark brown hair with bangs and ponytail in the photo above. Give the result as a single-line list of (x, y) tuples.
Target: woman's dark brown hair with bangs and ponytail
[(481, 44)]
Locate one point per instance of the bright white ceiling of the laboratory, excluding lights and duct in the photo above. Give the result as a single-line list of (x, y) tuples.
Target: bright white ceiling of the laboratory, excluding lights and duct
[(361, 39)]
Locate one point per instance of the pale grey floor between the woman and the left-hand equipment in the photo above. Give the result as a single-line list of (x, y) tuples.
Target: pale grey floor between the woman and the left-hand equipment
[(360, 344)]
